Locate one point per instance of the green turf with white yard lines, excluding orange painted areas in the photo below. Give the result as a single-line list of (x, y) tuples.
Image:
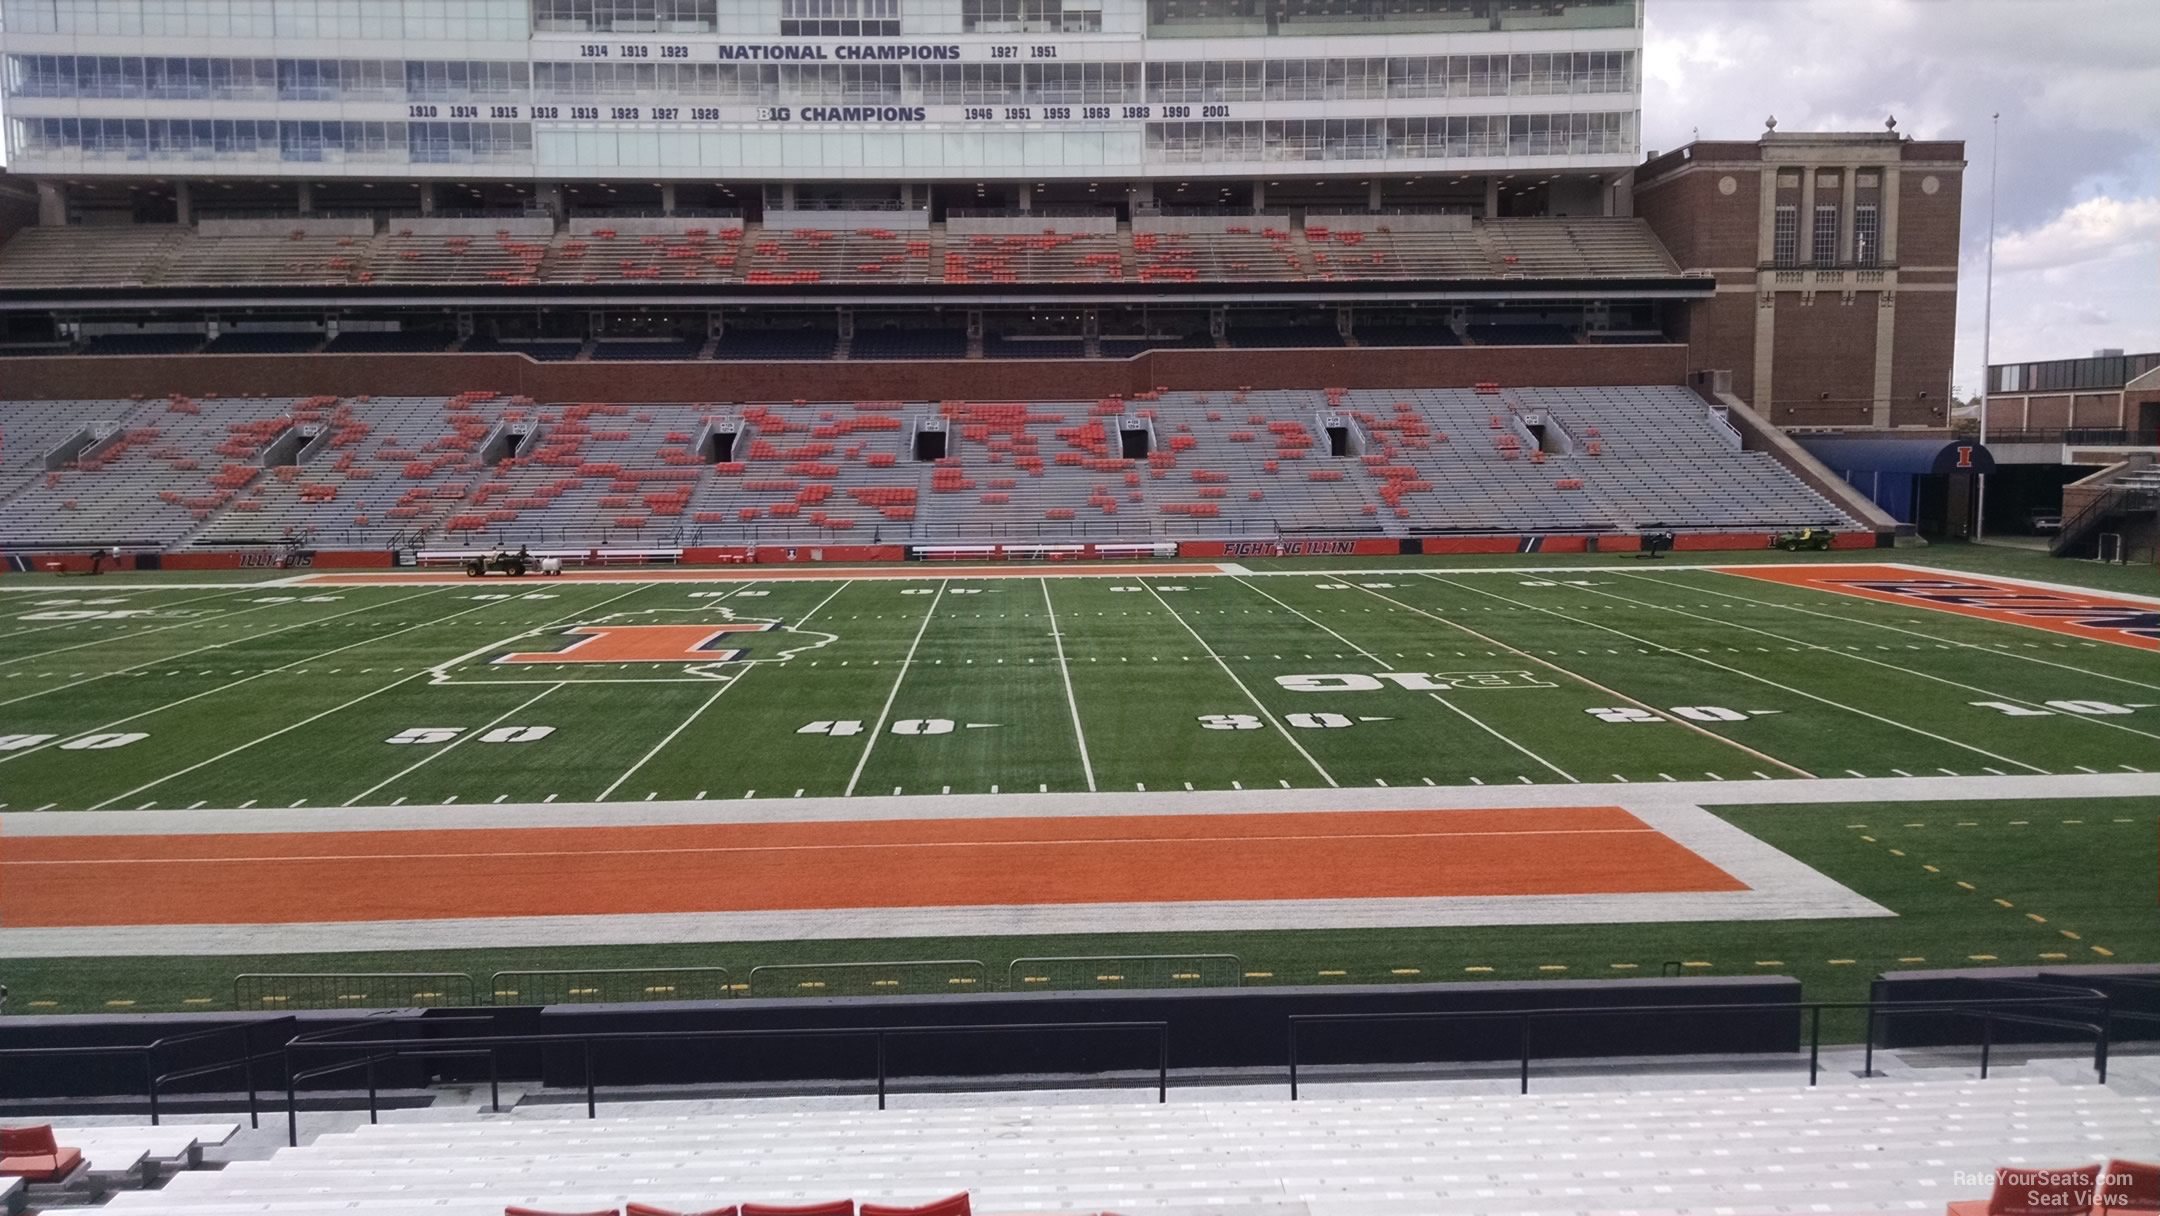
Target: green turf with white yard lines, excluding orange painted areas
[(139, 694)]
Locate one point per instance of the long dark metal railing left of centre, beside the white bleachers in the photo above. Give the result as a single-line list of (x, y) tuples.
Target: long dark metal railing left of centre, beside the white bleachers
[(487, 1046)]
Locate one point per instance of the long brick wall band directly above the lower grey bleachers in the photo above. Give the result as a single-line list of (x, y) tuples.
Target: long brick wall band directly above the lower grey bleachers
[(1005, 379)]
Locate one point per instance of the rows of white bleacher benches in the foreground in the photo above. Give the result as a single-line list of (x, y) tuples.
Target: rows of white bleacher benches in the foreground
[(1863, 1146)]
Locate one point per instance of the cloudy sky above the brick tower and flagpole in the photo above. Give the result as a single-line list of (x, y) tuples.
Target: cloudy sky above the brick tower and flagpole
[(2079, 92)]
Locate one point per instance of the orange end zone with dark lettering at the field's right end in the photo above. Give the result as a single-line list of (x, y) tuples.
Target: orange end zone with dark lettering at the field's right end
[(2088, 617)]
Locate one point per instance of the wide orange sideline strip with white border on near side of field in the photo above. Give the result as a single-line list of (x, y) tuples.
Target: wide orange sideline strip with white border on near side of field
[(286, 878)]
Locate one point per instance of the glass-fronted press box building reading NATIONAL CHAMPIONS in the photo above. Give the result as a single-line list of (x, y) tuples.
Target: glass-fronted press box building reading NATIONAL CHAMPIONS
[(1476, 107)]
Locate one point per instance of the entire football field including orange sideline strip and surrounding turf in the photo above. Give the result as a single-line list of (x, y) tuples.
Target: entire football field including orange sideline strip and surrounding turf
[(1606, 766)]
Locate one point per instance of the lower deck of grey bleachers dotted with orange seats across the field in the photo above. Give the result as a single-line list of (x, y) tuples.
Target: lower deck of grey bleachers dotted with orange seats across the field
[(1232, 463)]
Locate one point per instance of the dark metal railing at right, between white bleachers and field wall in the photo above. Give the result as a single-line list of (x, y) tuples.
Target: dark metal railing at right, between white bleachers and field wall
[(1986, 1010)]
